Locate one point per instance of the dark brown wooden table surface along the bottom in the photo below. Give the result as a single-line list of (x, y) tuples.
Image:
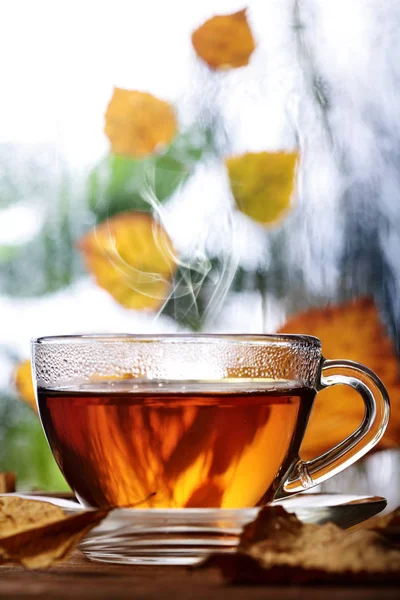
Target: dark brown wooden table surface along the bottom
[(79, 579)]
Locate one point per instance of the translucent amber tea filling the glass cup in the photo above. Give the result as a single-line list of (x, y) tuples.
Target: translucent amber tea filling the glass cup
[(119, 443)]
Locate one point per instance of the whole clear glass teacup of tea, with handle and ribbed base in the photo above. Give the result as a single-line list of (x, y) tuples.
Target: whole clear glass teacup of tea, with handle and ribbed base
[(187, 434)]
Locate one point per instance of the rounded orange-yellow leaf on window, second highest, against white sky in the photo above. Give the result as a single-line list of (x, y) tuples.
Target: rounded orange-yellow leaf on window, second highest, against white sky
[(137, 123)]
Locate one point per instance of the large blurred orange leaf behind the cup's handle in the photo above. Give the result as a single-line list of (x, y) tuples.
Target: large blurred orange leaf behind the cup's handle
[(353, 331)]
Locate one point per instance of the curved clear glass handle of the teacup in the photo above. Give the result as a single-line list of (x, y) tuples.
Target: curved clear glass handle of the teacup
[(305, 474)]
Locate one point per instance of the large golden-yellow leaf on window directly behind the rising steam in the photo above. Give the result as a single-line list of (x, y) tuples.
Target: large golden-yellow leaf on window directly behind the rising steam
[(132, 257)]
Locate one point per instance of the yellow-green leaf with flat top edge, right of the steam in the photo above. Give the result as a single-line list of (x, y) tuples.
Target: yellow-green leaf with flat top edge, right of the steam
[(262, 183)]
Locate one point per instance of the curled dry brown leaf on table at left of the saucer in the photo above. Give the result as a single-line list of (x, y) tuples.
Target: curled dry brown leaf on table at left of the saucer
[(38, 534)]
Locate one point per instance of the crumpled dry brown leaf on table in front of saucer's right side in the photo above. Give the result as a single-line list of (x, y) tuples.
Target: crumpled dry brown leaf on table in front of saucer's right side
[(277, 548)]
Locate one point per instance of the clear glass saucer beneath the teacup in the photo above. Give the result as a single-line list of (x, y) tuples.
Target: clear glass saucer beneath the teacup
[(186, 536)]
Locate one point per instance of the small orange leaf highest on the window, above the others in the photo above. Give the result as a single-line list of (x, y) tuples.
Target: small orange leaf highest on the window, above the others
[(225, 41)]
